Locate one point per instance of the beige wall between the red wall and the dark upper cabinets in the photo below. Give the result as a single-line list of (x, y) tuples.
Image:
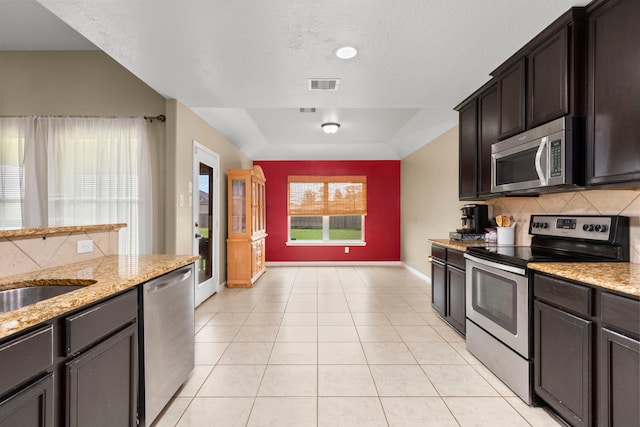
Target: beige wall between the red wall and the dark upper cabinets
[(429, 198)]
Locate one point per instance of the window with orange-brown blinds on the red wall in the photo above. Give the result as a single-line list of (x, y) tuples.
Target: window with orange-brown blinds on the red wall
[(327, 209)]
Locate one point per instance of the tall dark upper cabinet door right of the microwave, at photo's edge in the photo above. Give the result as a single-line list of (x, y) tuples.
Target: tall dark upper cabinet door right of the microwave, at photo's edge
[(613, 125)]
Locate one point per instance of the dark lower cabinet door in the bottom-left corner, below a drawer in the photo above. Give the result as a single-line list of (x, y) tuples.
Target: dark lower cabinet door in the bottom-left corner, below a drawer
[(31, 407)]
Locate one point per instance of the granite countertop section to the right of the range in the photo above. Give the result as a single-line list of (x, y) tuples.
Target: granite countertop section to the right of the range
[(623, 277)]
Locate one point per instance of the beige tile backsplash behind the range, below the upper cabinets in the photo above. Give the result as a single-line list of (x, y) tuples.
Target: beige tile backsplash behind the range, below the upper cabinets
[(596, 202)]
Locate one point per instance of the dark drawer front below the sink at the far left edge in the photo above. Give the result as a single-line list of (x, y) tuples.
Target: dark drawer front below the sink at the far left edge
[(25, 357)]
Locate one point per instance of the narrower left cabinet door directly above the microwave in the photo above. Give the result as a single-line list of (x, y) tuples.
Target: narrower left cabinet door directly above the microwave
[(511, 93)]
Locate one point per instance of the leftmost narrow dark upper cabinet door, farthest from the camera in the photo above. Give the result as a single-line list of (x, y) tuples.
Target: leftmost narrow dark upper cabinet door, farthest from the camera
[(468, 184)]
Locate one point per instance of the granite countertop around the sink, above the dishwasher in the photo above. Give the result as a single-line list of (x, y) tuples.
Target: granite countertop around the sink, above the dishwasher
[(112, 274)]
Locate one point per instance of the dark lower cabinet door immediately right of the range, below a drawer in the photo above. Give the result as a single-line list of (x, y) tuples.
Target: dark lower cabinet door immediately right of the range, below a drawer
[(563, 362)]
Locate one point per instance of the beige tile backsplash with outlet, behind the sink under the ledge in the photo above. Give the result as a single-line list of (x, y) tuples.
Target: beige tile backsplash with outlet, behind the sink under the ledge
[(21, 254)]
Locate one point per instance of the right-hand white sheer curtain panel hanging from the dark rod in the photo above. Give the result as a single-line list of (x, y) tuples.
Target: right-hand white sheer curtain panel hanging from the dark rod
[(98, 172)]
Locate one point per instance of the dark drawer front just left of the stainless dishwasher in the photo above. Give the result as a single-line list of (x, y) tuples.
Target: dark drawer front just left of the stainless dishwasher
[(90, 325)]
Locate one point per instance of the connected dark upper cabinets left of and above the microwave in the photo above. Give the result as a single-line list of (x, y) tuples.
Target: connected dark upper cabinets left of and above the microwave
[(543, 81)]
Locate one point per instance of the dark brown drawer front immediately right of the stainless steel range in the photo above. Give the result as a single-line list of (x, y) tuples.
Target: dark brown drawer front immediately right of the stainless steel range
[(565, 294)]
